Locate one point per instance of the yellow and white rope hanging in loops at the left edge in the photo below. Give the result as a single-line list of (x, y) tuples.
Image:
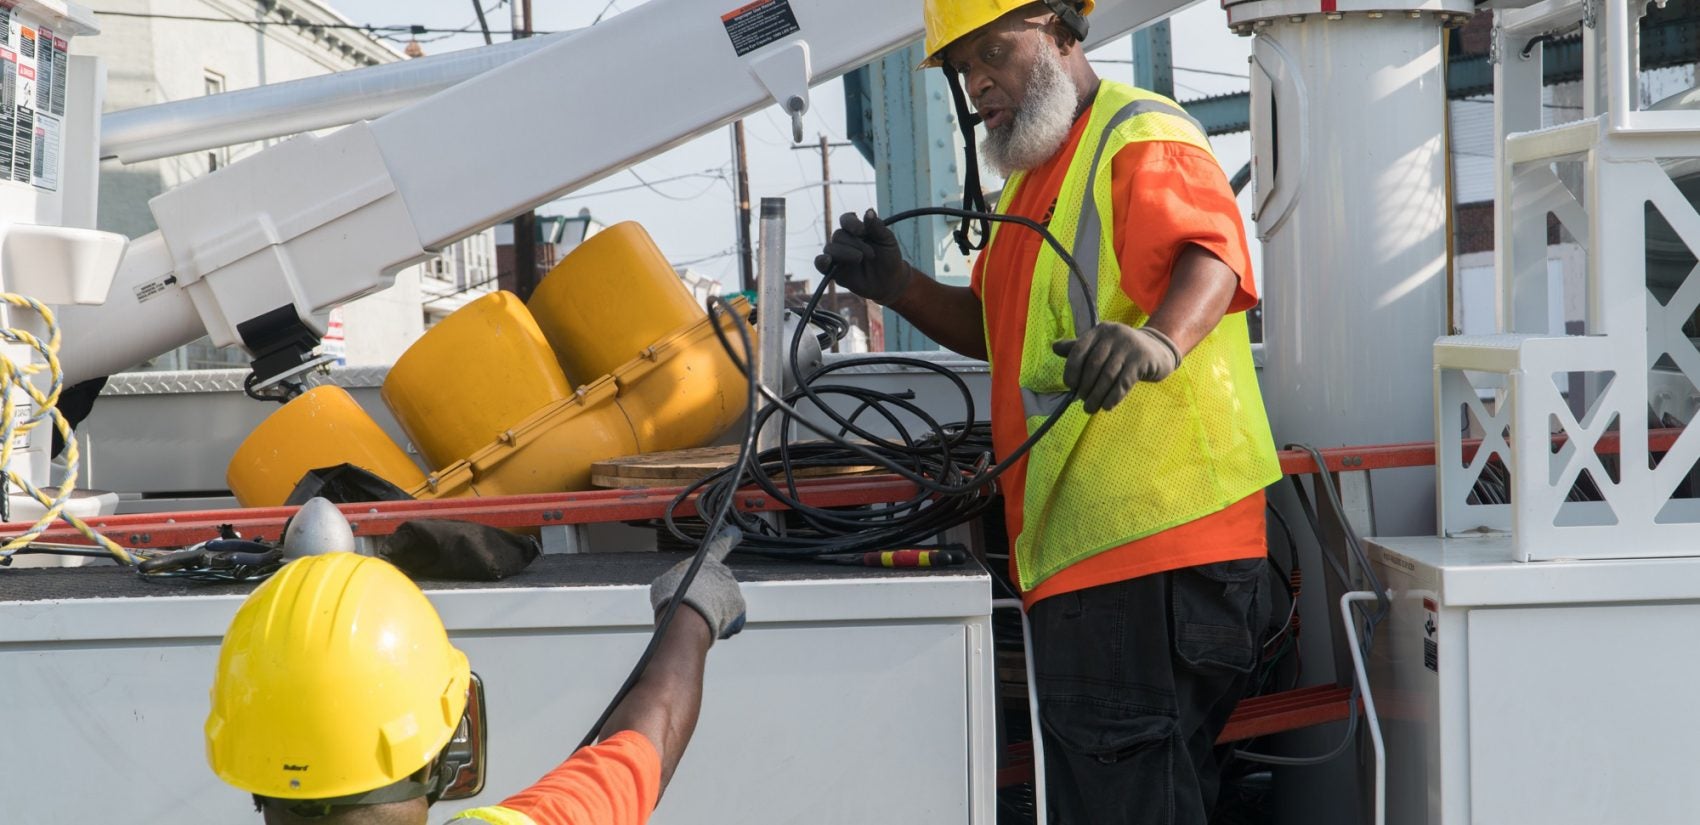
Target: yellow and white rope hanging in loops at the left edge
[(14, 431)]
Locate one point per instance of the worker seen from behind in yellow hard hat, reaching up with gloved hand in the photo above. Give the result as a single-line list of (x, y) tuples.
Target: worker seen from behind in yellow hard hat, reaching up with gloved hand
[(341, 702)]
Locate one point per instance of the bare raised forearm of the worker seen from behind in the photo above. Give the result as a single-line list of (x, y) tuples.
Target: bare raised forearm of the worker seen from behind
[(667, 698)]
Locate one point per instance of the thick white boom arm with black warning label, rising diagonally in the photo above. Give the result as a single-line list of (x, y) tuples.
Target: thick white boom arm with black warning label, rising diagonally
[(258, 253)]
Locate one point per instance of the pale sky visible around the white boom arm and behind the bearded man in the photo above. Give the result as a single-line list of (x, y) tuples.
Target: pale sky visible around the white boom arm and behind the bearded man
[(686, 198)]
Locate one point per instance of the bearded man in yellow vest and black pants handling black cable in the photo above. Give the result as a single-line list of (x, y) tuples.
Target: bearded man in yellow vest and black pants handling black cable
[(1138, 520)]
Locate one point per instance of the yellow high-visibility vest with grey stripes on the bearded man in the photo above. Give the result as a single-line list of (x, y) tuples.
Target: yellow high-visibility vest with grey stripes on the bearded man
[(1174, 450)]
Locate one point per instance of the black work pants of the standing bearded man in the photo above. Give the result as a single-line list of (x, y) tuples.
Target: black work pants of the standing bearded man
[(1136, 681)]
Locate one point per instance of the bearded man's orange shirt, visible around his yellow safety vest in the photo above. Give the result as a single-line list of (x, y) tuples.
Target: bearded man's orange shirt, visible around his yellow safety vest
[(1165, 196)]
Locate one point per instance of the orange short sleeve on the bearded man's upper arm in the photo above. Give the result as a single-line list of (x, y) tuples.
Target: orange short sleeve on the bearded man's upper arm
[(1165, 196)]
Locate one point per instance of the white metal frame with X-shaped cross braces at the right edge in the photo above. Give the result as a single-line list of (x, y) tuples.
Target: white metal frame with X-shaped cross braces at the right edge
[(1619, 149)]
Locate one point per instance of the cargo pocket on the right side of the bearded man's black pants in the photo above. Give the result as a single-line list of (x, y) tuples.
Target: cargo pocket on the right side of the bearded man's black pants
[(1215, 612)]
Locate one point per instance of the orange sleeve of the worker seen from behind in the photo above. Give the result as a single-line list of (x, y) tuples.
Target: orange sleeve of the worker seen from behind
[(613, 783)]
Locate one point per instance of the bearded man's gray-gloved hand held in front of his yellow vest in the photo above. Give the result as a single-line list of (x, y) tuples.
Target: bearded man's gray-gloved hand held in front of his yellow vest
[(1113, 358)]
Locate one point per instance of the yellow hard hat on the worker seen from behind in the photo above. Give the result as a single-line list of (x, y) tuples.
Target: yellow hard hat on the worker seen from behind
[(336, 678)]
